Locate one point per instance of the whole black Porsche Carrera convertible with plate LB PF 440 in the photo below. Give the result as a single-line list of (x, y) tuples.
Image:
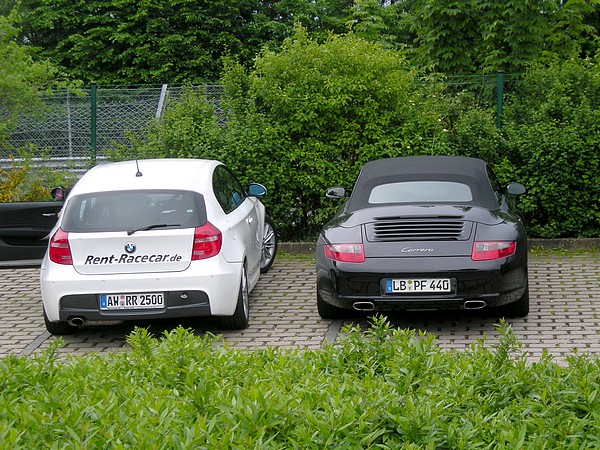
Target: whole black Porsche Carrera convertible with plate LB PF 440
[(421, 233)]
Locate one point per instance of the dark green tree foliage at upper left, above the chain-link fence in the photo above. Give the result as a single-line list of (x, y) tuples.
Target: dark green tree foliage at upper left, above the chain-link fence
[(123, 41)]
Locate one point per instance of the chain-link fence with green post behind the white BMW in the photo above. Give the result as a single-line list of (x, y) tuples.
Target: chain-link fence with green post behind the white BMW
[(82, 126)]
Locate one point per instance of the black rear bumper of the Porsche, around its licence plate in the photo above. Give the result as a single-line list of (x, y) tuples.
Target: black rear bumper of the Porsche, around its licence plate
[(474, 285)]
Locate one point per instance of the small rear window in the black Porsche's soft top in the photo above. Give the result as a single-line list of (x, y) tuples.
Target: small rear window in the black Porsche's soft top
[(421, 192)]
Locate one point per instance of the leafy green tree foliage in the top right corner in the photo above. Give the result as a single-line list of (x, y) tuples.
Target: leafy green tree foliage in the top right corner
[(475, 36)]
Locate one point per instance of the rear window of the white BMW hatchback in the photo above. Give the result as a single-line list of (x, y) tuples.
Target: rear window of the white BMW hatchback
[(131, 210)]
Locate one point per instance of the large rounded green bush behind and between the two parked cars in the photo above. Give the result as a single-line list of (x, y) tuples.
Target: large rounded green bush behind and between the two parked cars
[(305, 119)]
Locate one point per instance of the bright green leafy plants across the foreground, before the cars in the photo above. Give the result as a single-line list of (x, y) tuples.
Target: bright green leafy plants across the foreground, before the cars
[(377, 388)]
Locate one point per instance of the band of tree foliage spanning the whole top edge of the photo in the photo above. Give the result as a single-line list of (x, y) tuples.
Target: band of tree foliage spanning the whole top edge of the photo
[(117, 41)]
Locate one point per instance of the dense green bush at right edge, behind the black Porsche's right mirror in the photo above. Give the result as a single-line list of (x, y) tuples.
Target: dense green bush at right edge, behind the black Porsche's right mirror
[(553, 132)]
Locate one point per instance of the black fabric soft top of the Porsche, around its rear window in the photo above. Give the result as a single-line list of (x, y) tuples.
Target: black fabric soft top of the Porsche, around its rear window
[(470, 171)]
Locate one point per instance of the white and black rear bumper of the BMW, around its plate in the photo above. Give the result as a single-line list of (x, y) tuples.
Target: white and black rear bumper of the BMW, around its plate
[(207, 288)]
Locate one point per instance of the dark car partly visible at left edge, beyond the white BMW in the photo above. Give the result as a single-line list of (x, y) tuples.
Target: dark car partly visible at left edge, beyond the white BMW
[(24, 231)]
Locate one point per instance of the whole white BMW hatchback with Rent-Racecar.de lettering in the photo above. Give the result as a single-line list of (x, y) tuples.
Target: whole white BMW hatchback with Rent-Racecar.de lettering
[(151, 239)]
